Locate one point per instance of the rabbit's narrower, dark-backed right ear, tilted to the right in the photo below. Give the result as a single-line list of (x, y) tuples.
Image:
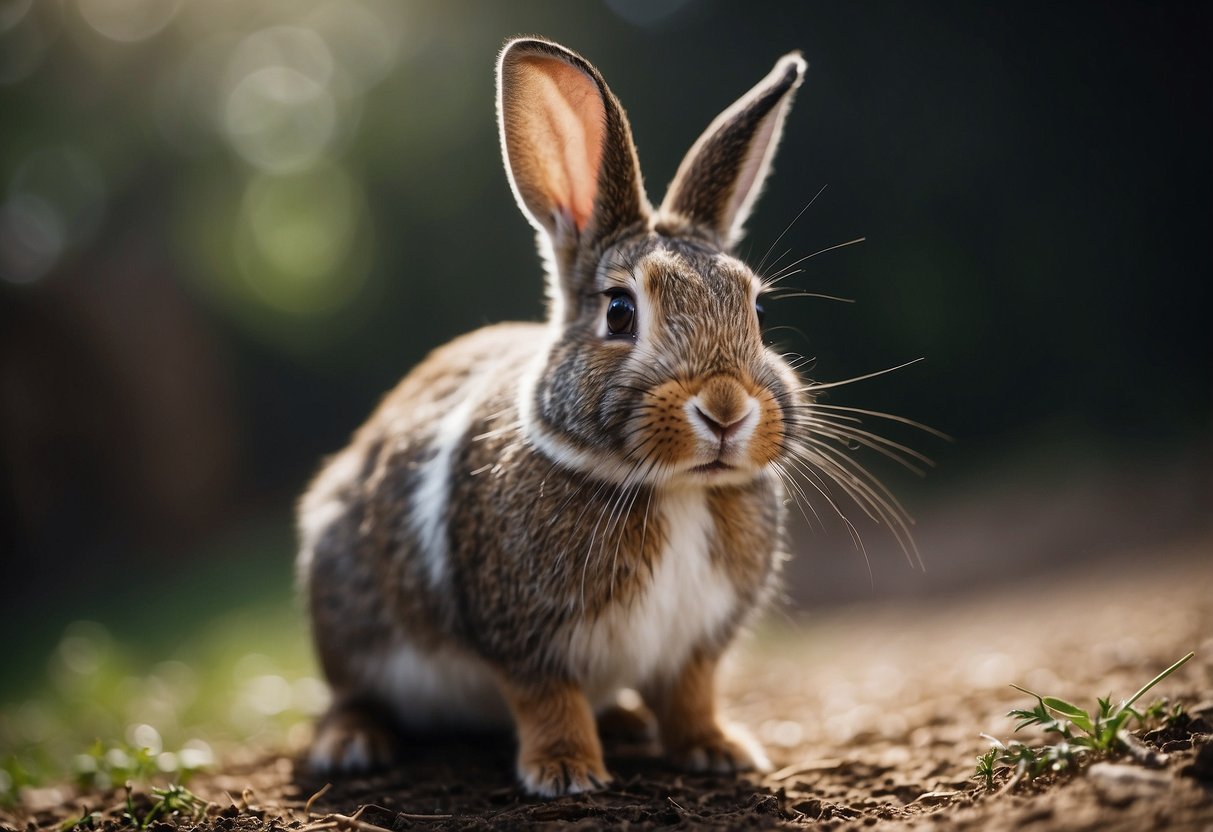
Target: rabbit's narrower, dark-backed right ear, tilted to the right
[(724, 173)]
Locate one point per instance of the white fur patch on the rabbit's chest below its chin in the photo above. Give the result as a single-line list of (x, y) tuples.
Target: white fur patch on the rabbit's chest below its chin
[(687, 601)]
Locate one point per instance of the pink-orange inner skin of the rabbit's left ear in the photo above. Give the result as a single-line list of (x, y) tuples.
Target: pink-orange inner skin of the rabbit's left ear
[(557, 133)]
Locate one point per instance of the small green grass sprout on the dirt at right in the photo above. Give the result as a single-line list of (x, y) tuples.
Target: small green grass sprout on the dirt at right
[(1079, 734)]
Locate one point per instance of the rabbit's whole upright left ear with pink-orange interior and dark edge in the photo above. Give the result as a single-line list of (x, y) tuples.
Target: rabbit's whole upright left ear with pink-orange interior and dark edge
[(567, 145)]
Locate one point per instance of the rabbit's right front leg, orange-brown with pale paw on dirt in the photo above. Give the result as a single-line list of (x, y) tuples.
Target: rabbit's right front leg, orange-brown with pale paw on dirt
[(691, 730)]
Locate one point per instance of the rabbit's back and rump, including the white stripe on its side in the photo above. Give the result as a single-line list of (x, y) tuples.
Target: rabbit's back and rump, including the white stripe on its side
[(374, 544)]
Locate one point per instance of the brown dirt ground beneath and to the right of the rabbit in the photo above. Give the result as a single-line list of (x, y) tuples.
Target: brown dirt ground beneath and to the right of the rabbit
[(872, 717)]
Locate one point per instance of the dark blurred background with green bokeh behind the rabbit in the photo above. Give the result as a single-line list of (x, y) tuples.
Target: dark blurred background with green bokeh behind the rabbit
[(229, 226)]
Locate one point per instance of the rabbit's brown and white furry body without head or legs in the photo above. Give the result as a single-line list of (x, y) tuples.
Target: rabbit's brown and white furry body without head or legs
[(428, 571)]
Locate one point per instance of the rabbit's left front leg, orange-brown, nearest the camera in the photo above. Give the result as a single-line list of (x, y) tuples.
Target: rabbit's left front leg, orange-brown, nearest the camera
[(559, 746)]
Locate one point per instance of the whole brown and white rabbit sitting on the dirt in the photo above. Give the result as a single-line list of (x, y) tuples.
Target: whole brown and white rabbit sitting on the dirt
[(542, 516)]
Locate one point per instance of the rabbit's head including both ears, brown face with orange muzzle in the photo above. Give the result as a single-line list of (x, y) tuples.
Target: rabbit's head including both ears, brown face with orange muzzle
[(657, 369)]
